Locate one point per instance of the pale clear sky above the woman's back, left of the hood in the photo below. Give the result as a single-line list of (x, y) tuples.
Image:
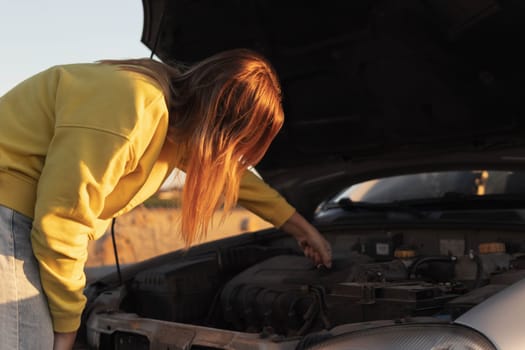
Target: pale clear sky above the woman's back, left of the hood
[(37, 34)]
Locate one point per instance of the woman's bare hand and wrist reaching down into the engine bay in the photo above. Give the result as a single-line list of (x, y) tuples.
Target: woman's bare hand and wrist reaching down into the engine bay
[(314, 245)]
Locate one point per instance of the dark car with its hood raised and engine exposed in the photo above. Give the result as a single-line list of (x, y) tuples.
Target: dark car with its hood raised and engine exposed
[(371, 90)]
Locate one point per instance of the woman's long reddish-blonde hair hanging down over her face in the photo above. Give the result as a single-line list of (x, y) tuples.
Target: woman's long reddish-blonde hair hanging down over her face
[(224, 111)]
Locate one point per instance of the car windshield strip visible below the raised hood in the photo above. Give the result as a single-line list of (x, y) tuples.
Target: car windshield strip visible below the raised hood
[(435, 185)]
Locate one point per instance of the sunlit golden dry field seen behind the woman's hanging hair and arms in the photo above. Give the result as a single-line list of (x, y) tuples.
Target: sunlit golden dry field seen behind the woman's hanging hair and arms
[(147, 232)]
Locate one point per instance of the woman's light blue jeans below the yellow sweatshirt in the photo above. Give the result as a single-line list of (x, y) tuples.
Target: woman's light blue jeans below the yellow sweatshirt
[(25, 322)]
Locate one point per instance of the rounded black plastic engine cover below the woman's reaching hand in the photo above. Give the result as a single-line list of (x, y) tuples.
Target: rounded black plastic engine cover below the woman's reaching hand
[(284, 294)]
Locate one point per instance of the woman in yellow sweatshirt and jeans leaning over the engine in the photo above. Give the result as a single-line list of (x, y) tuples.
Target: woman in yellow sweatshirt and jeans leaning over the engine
[(83, 143)]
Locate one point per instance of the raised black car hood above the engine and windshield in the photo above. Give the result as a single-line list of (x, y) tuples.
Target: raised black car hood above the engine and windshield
[(367, 80)]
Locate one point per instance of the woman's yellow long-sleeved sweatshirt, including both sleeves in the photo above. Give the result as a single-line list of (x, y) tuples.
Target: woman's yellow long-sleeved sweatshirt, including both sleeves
[(79, 145)]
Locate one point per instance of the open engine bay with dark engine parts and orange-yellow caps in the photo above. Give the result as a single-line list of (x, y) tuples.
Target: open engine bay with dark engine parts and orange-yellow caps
[(268, 287)]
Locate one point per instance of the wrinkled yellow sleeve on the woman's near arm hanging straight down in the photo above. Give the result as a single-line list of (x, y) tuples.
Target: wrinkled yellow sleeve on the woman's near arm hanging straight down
[(81, 168)]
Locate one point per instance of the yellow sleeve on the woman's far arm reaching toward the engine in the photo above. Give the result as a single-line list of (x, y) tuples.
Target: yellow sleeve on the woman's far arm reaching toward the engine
[(262, 200)]
